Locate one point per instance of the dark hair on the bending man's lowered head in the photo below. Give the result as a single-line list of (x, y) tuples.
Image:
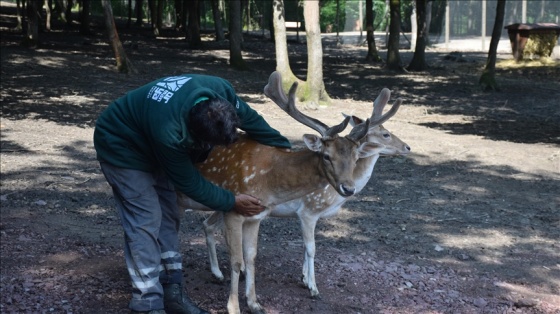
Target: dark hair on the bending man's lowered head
[(214, 121)]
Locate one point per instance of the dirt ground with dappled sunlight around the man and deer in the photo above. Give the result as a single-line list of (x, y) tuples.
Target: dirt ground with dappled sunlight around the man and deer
[(467, 223)]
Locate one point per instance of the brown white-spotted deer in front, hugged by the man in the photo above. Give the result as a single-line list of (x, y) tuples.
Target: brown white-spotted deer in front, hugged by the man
[(277, 176)]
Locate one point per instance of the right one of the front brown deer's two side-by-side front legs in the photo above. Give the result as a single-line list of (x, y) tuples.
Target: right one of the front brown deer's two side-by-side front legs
[(250, 241)]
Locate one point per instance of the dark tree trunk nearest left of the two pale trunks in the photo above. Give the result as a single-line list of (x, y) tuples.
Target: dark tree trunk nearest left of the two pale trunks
[(235, 36)]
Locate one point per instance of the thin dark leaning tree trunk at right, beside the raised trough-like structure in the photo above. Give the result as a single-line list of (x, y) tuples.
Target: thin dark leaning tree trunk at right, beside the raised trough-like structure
[(488, 78)]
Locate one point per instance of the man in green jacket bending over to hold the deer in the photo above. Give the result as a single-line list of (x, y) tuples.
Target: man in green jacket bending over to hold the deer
[(147, 142)]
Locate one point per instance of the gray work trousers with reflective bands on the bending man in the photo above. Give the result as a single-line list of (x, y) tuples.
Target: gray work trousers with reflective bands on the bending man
[(147, 205)]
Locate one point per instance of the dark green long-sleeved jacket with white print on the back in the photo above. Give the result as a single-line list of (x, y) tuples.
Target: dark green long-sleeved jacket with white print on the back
[(146, 130)]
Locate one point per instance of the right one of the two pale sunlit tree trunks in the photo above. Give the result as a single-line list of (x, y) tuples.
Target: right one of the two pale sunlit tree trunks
[(314, 88)]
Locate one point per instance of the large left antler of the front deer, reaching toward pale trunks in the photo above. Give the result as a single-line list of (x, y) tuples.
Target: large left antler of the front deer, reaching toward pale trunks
[(274, 91)]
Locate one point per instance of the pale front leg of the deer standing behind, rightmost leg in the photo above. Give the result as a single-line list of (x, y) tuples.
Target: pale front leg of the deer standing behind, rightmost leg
[(308, 223)]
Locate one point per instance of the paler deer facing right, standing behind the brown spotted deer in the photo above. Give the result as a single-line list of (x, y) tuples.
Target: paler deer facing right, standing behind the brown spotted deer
[(325, 202)]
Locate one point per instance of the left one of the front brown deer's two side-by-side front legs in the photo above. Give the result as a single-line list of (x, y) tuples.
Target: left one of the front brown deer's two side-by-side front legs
[(233, 232)]
